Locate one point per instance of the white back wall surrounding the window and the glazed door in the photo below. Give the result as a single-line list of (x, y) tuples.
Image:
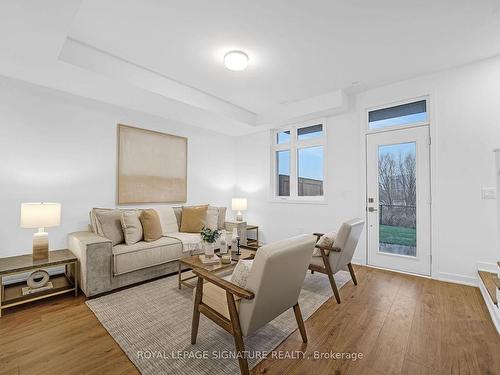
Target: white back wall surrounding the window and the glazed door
[(465, 115)]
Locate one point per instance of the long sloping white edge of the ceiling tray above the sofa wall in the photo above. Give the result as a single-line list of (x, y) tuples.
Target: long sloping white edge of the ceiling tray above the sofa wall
[(81, 54)]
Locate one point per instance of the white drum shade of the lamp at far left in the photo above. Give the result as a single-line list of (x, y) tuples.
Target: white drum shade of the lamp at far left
[(40, 215)]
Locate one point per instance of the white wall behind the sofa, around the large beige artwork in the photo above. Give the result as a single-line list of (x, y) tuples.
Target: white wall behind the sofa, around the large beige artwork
[(62, 148)]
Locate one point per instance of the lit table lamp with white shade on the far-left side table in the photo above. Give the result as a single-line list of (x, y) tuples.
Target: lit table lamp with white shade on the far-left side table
[(41, 216)]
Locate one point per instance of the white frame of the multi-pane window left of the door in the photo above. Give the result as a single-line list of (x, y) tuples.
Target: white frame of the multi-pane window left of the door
[(294, 146)]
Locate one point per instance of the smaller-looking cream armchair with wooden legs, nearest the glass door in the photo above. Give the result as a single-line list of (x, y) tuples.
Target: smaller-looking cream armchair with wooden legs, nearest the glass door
[(340, 255)]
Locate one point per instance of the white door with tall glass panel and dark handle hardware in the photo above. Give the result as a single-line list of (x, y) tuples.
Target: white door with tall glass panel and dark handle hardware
[(398, 200)]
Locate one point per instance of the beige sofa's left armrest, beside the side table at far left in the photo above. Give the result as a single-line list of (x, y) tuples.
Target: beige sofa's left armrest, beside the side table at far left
[(95, 257)]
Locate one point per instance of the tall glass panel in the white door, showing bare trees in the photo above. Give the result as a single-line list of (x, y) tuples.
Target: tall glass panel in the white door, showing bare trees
[(397, 187)]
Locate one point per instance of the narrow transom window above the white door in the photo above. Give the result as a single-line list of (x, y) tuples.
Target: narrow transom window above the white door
[(399, 115)]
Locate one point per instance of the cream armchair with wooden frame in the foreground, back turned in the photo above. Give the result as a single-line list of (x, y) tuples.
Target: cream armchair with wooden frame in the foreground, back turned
[(273, 286)]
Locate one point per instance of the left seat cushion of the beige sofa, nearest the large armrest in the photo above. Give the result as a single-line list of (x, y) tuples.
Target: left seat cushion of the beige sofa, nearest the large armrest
[(128, 258)]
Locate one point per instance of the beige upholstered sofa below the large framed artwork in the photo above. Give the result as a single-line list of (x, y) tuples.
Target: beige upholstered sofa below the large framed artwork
[(104, 267)]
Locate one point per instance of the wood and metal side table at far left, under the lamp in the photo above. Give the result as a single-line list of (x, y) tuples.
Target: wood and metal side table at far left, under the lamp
[(12, 295)]
